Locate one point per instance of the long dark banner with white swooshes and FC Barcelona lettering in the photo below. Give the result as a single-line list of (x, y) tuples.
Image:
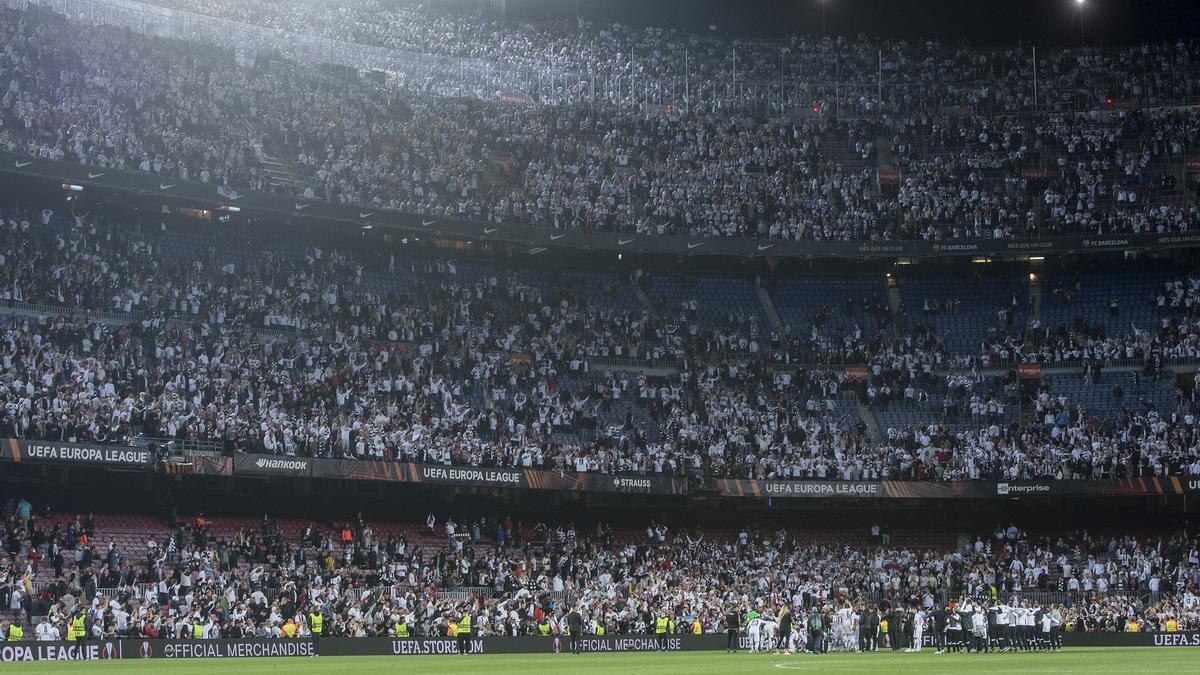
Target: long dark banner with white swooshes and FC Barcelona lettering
[(346, 217)]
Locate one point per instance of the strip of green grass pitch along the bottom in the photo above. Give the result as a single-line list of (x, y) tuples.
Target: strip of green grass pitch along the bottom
[(1078, 660)]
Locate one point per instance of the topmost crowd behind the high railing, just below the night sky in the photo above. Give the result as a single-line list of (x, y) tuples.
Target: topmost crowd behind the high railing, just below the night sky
[(670, 65)]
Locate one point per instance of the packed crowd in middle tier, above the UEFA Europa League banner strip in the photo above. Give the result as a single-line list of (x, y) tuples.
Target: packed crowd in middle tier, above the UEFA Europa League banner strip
[(446, 362)]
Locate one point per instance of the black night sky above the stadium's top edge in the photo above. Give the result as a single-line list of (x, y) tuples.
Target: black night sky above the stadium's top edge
[(980, 22)]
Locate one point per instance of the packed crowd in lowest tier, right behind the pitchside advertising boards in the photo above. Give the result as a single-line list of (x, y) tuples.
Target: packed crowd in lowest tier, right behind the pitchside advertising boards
[(199, 581)]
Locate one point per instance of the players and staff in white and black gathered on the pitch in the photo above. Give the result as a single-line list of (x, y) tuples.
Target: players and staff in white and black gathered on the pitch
[(968, 626)]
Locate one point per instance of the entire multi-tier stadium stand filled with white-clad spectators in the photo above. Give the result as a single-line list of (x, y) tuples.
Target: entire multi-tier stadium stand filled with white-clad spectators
[(190, 333)]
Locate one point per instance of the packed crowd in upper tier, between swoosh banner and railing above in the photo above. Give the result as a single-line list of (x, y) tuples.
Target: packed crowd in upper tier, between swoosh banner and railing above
[(93, 95)]
